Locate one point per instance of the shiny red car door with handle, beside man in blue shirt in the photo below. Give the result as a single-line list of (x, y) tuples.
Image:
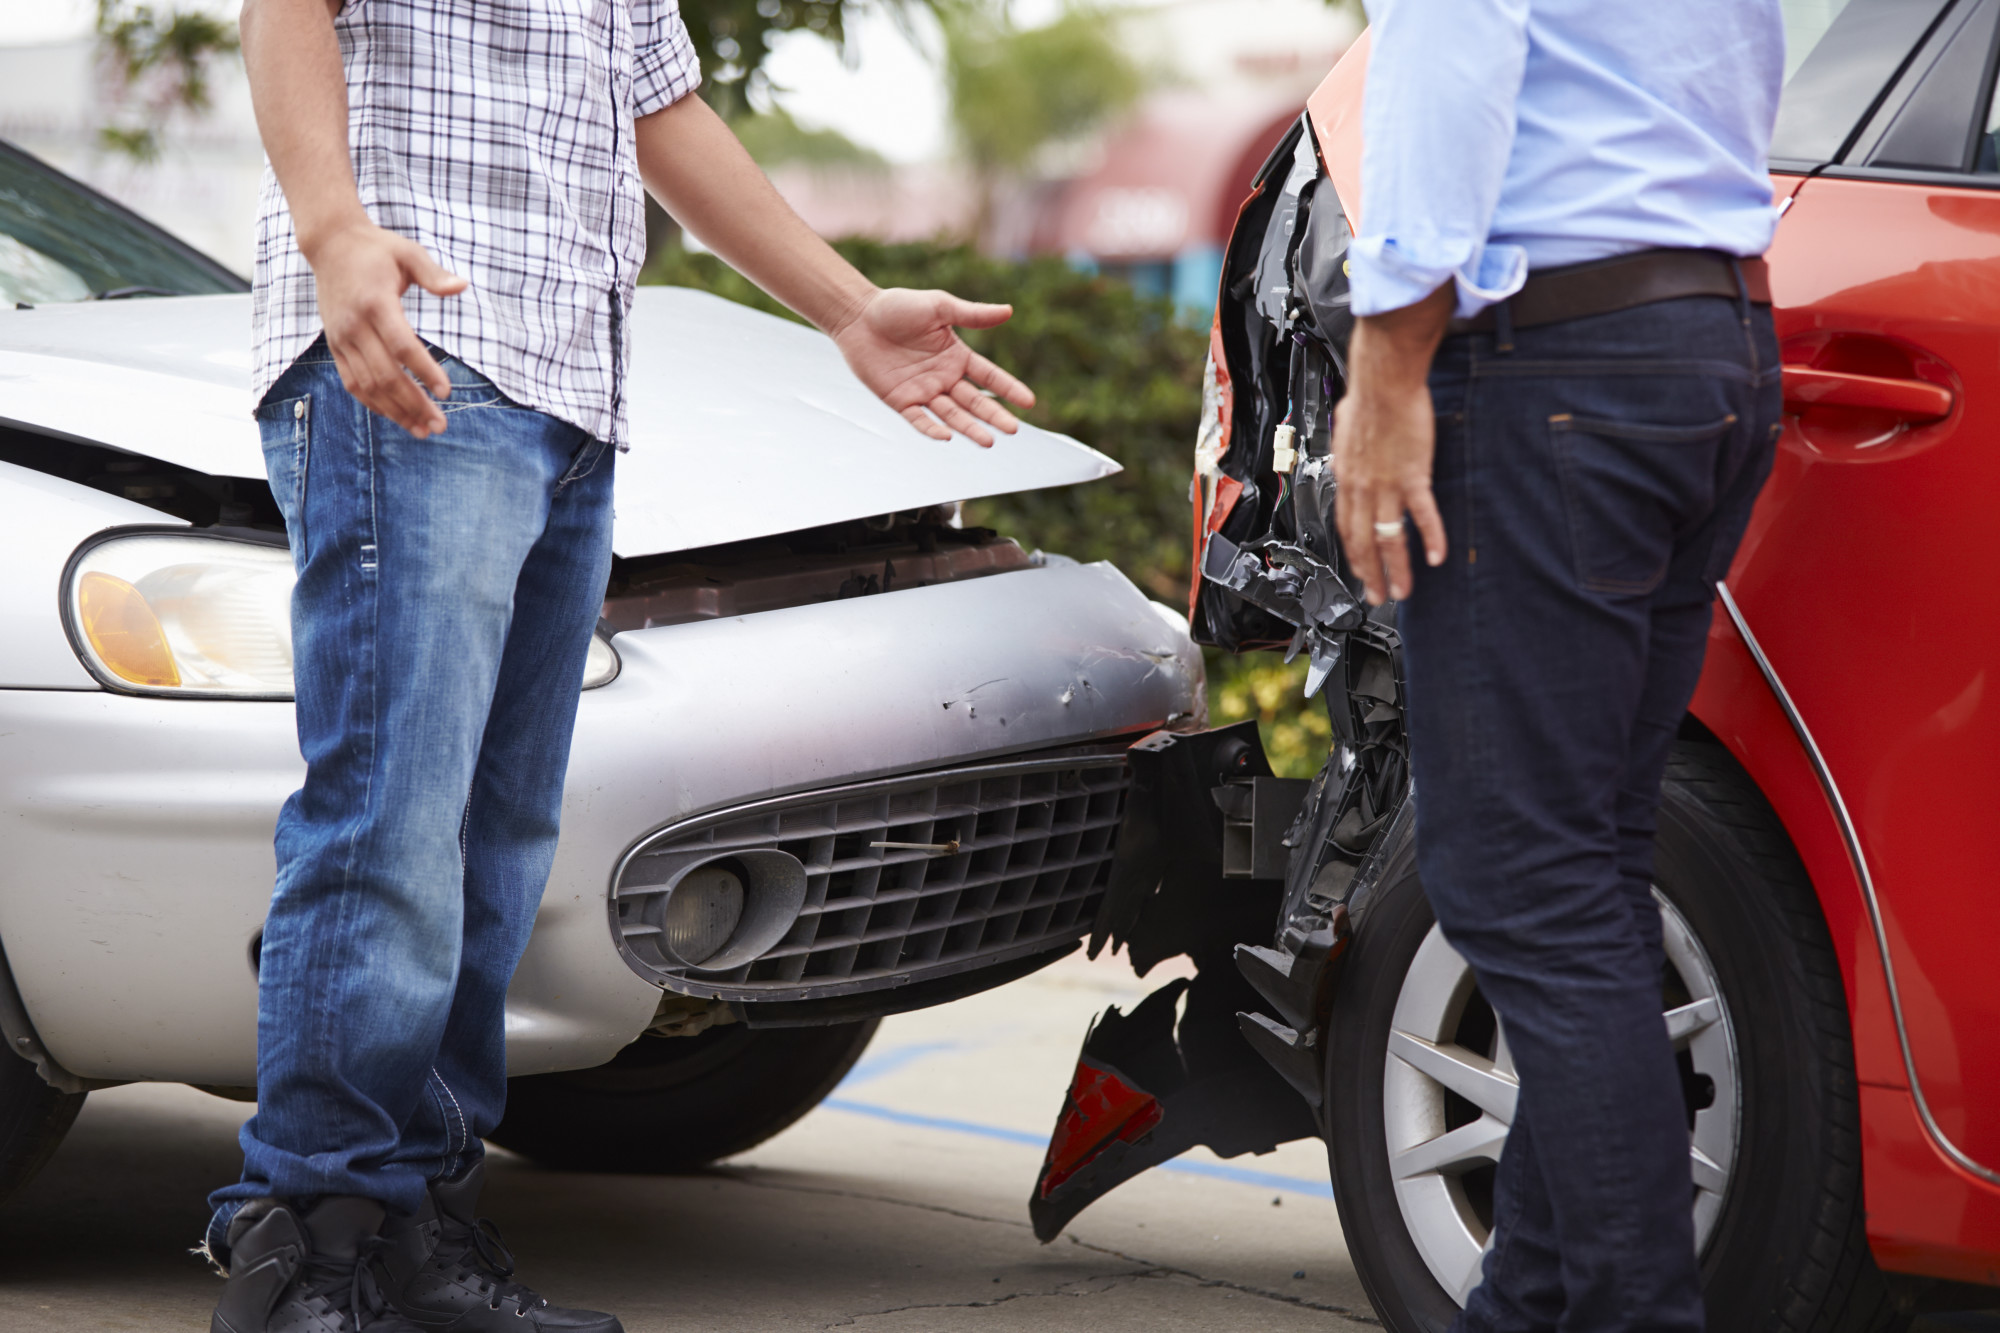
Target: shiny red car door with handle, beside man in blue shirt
[(1871, 575)]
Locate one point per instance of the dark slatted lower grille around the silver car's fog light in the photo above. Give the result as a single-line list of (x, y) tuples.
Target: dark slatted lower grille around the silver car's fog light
[(1033, 860)]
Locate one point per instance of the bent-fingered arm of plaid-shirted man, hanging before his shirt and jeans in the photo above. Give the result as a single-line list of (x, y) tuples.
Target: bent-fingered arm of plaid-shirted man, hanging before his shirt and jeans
[(361, 271)]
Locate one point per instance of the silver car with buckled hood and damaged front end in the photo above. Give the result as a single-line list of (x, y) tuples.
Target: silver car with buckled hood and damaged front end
[(891, 746)]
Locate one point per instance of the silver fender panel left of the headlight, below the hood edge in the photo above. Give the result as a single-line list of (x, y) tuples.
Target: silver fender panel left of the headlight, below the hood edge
[(47, 519)]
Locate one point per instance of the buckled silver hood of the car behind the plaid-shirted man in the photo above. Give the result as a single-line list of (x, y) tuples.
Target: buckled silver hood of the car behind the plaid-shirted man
[(743, 425)]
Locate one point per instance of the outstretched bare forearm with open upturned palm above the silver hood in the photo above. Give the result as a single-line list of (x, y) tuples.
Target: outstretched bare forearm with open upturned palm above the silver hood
[(899, 343)]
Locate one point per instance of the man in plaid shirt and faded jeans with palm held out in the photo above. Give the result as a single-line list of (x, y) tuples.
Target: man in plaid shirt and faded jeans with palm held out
[(451, 233)]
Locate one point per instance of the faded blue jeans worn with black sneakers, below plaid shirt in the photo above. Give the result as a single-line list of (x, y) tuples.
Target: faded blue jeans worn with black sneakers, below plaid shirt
[(447, 595)]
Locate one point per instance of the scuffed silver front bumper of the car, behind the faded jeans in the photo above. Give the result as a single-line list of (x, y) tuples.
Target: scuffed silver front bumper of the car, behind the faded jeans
[(141, 850)]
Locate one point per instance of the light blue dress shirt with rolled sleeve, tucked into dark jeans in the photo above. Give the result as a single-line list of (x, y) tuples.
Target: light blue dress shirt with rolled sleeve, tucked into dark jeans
[(1513, 135)]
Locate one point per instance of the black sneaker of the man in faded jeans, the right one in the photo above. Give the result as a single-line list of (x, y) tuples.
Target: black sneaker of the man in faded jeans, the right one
[(449, 1270)]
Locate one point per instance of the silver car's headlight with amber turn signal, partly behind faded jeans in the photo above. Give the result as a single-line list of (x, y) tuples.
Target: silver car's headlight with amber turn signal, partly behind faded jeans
[(179, 613)]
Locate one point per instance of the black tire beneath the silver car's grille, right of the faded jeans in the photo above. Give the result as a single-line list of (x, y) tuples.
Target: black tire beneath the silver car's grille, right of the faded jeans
[(679, 1104)]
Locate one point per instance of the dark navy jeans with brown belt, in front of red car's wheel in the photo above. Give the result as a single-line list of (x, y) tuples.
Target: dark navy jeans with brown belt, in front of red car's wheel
[(1595, 481)]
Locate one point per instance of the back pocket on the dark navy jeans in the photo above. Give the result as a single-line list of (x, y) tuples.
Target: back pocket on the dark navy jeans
[(1631, 489)]
